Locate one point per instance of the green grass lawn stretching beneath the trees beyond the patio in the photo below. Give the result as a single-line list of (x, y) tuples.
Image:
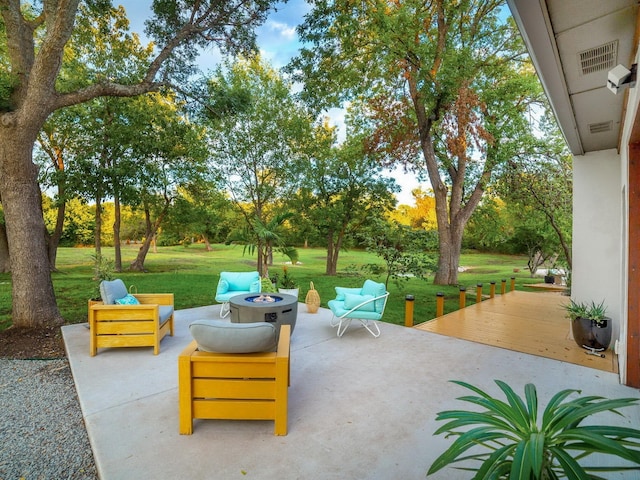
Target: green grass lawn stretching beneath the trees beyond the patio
[(191, 273)]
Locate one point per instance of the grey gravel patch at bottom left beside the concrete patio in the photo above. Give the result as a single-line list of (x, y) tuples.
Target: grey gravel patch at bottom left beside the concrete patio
[(42, 432)]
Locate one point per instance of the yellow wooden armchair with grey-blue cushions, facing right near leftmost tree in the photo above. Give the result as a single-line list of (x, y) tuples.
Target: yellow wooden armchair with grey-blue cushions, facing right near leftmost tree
[(142, 324)]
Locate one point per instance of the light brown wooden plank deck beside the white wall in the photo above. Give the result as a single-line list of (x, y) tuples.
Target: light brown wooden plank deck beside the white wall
[(528, 322)]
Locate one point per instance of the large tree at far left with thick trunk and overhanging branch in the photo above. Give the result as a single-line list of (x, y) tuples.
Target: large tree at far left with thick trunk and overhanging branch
[(32, 43)]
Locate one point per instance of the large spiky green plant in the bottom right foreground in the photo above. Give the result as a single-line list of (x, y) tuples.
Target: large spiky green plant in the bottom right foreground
[(518, 446)]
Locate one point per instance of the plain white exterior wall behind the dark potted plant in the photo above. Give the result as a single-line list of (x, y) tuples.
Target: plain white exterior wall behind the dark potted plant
[(598, 237)]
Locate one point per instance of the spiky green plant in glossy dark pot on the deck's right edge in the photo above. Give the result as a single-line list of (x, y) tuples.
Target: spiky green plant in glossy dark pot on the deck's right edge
[(590, 325)]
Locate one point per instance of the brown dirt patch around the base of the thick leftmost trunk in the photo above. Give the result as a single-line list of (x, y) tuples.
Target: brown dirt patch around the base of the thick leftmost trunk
[(32, 343)]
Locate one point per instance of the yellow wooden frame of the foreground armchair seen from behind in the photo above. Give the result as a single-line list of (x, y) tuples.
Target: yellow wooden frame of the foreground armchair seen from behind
[(235, 386)]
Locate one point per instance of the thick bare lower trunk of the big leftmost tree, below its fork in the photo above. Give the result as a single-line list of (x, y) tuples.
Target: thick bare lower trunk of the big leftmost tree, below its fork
[(34, 302)]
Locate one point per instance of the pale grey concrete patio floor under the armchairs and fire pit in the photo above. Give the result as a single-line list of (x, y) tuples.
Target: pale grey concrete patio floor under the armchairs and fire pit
[(359, 407)]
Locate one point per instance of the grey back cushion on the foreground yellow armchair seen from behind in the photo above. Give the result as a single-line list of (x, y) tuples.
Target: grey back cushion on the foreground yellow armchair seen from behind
[(225, 337)]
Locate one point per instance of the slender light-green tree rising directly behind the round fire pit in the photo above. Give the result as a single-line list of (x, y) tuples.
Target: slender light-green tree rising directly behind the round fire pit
[(257, 133)]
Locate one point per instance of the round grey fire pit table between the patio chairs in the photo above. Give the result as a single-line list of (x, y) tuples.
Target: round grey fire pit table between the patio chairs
[(277, 308)]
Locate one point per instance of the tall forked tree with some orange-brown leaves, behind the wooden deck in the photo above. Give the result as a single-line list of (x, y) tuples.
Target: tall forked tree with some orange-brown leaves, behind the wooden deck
[(445, 86)]
